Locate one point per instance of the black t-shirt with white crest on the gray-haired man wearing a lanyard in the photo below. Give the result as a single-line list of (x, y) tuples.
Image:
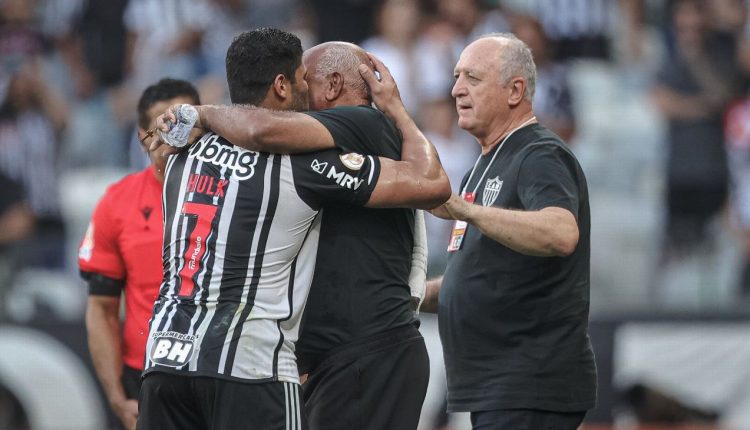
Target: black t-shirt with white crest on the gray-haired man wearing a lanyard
[(513, 326)]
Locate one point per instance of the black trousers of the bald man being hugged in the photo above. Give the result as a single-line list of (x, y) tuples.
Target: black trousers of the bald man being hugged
[(378, 383)]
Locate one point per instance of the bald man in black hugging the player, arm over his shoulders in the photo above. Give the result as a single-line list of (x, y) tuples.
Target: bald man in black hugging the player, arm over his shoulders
[(367, 362)]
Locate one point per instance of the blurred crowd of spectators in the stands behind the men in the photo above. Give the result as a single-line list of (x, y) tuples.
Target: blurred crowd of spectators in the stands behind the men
[(71, 71)]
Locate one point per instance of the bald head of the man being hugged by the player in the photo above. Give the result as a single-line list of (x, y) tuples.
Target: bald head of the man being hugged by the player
[(333, 74)]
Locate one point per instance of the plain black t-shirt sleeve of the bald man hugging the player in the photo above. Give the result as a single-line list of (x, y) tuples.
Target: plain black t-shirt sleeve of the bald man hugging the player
[(361, 129)]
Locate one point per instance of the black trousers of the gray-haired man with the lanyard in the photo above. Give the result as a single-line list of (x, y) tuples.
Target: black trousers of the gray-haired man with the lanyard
[(526, 419)]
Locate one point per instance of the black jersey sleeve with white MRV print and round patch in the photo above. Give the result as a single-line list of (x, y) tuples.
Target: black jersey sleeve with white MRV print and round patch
[(330, 176)]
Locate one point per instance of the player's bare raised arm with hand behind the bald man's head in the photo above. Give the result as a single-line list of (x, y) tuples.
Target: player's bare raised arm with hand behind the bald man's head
[(418, 179)]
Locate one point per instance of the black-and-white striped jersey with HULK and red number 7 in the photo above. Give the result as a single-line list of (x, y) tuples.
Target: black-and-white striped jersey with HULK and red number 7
[(240, 240)]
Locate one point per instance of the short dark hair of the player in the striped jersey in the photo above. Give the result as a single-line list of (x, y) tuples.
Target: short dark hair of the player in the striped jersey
[(255, 58)]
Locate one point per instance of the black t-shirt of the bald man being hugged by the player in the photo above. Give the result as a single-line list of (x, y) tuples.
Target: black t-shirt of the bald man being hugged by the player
[(360, 287)]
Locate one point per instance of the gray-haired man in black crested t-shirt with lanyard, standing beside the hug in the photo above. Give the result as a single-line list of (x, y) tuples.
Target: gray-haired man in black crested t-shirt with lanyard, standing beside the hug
[(514, 300)]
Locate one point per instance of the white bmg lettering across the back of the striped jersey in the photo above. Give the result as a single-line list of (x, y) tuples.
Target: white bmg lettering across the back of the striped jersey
[(239, 160)]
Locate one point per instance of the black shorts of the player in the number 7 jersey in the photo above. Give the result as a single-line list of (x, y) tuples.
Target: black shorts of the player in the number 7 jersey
[(178, 402)]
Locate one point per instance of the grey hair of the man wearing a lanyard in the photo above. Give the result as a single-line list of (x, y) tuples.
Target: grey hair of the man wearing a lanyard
[(516, 60)]
